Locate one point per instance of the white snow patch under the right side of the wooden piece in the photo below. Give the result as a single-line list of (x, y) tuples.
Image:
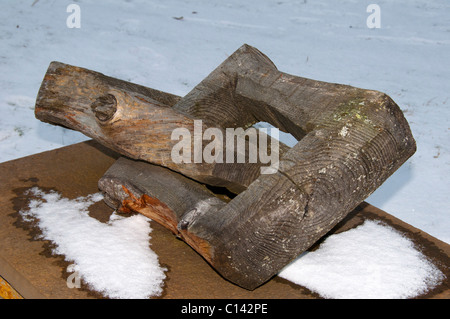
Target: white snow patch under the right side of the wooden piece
[(371, 261)]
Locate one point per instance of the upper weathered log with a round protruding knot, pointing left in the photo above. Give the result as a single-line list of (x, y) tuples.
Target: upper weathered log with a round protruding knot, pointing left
[(137, 122)]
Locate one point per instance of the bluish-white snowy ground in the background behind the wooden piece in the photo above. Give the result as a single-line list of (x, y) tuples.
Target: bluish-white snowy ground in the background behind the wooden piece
[(141, 41)]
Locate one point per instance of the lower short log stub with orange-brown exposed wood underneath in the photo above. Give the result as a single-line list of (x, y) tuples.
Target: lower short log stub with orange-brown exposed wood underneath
[(165, 196)]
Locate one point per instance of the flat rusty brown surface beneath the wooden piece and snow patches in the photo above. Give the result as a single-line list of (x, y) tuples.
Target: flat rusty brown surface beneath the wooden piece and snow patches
[(32, 271)]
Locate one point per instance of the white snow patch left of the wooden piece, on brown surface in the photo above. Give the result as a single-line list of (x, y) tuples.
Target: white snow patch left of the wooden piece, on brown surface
[(112, 258)]
